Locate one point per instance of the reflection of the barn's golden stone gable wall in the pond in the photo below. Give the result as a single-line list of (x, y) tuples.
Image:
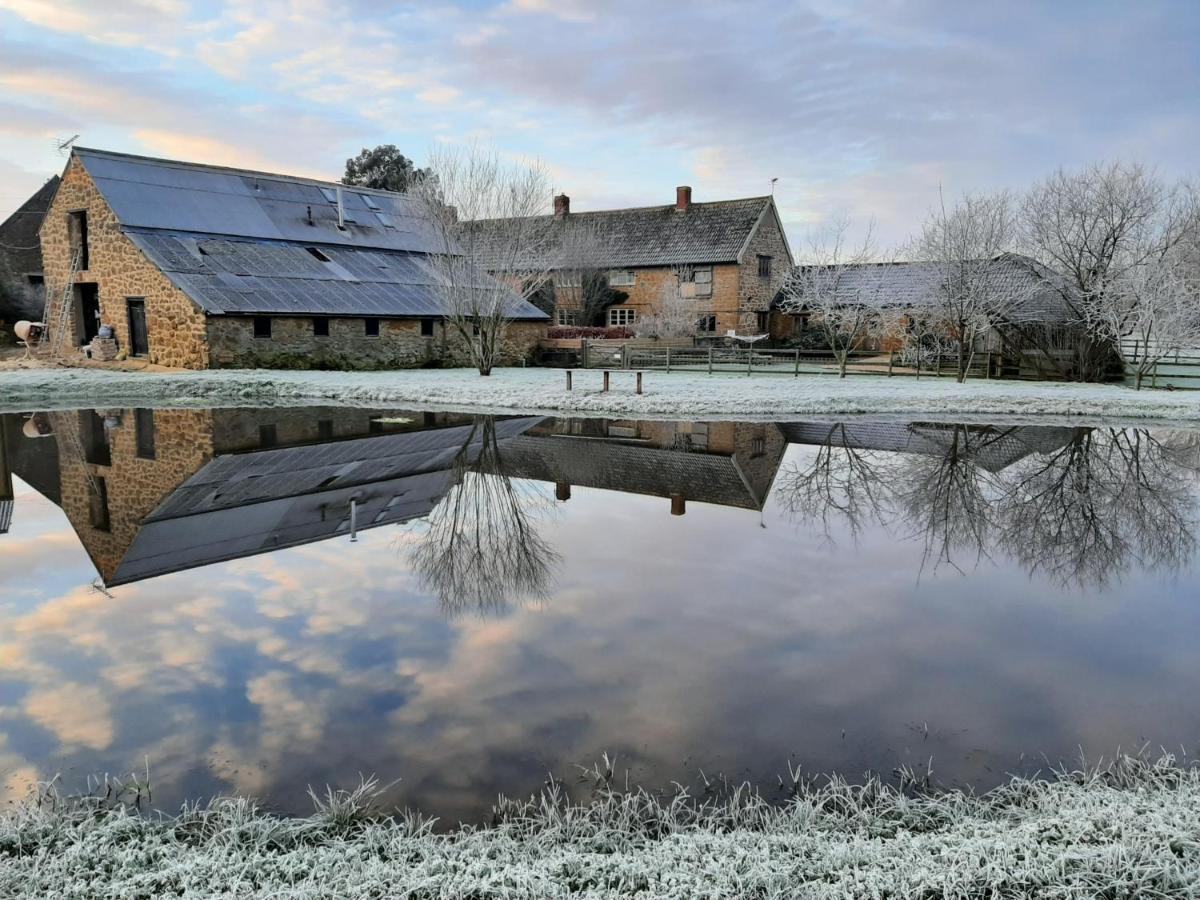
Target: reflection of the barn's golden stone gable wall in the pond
[(135, 487)]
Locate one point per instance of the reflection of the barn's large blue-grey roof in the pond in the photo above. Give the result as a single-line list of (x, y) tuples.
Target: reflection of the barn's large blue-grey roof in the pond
[(244, 505)]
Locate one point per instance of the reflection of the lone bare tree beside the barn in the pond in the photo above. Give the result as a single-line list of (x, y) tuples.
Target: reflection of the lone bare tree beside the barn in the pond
[(483, 548)]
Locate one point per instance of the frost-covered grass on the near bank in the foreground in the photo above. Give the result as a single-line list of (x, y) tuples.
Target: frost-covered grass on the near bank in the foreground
[(1130, 830)]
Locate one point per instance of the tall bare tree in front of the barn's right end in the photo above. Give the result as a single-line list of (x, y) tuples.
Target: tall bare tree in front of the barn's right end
[(485, 213)]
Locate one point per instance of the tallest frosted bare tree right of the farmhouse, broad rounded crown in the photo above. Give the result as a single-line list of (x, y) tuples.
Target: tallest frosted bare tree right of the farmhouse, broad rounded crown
[(1099, 226)]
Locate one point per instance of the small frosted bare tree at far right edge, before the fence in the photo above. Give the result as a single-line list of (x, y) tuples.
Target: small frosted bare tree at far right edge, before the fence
[(1149, 313)]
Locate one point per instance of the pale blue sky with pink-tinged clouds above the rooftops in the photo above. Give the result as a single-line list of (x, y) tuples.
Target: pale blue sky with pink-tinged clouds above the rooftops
[(862, 111)]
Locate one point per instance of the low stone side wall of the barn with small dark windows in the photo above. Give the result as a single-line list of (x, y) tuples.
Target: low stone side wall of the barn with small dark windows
[(400, 345)]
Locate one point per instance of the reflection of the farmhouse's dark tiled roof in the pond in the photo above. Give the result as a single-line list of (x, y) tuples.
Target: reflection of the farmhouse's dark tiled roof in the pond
[(615, 466)]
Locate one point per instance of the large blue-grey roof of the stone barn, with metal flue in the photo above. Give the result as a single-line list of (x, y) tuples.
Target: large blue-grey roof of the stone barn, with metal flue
[(237, 242)]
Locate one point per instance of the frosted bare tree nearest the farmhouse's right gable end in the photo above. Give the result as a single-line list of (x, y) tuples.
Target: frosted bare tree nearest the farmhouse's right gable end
[(843, 289)]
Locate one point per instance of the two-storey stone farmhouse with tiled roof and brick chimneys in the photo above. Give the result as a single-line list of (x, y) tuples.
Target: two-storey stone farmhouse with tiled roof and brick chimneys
[(729, 257)]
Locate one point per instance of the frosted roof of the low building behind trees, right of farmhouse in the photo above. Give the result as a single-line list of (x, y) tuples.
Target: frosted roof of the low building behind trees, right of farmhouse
[(1034, 295)]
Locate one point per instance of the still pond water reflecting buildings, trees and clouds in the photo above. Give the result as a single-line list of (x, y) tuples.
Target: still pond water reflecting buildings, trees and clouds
[(262, 601)]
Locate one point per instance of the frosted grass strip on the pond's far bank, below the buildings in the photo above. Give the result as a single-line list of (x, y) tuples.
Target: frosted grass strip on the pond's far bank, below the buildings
[(676, 394)]
